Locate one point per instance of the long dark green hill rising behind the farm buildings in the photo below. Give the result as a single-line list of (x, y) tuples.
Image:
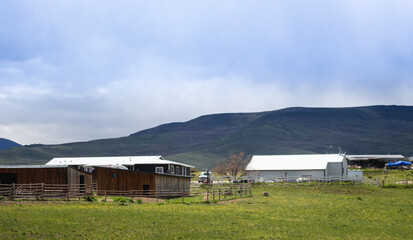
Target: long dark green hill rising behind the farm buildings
[(204, 140)]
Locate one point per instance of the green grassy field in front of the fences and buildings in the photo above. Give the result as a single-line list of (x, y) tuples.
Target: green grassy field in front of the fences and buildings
[(289, 212)]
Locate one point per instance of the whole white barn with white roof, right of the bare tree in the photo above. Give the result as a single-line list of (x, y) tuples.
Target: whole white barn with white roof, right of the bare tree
[(294, 167)]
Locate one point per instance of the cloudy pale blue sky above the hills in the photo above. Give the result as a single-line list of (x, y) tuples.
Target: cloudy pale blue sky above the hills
[(83, 70)]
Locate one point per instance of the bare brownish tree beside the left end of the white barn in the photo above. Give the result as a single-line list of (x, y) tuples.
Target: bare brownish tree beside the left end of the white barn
[(233, 166)]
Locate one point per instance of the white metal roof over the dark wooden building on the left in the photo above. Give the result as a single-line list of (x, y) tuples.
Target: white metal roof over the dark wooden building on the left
[(120, 160)]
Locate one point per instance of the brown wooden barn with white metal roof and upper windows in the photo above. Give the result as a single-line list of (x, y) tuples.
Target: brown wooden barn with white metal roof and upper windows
[(133, 173)]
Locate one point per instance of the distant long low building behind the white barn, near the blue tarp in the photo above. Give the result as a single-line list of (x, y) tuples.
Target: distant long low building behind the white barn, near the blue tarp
[(372, 161)]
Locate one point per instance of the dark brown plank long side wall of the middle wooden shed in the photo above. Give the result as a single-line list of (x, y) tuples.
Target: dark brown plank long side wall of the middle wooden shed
[(123, 180)]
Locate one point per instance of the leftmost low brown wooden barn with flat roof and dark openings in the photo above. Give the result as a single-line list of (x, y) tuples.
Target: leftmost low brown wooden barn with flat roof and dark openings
[(51, 174)]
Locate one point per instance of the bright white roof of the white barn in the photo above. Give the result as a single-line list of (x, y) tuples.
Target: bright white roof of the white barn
[(292, 162)]
